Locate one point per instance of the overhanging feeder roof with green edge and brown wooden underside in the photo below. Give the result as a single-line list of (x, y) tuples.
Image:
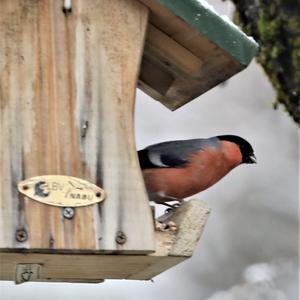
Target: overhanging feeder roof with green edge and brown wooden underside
[(223, 50)]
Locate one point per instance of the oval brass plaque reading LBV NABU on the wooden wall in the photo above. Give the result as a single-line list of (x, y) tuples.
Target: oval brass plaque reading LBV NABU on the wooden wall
[(59, 190)]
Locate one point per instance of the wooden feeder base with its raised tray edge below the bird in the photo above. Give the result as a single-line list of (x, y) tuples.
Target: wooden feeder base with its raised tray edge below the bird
[(172, 247)]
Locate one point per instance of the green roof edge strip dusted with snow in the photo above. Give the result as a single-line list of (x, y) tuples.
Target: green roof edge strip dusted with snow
[(215, 28)]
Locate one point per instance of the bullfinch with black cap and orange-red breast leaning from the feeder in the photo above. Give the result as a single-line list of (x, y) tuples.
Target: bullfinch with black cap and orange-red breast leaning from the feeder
[(175, 170)]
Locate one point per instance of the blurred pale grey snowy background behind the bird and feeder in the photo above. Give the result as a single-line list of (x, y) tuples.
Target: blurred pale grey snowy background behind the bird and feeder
[(249, 249)]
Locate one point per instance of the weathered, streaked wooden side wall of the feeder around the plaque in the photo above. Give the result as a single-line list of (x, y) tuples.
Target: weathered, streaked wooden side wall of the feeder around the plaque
[(67, 89)]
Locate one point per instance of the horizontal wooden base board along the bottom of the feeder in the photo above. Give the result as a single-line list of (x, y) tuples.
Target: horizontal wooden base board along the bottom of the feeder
[(67, 267)]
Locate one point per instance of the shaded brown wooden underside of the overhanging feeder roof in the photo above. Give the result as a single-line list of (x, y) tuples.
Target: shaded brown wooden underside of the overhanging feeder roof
[(180, 63)]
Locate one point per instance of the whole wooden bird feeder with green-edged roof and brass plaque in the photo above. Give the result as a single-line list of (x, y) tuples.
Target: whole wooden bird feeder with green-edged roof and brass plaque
[(73, 206)]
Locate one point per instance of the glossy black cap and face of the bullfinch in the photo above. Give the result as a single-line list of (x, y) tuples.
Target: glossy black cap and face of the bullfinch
[(247, 151)]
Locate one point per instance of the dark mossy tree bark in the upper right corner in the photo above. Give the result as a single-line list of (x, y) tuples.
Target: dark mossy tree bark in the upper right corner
[(276, 27)]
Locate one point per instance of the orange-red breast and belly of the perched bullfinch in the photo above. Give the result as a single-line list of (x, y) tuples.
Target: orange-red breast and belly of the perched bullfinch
[(204, 169)]
